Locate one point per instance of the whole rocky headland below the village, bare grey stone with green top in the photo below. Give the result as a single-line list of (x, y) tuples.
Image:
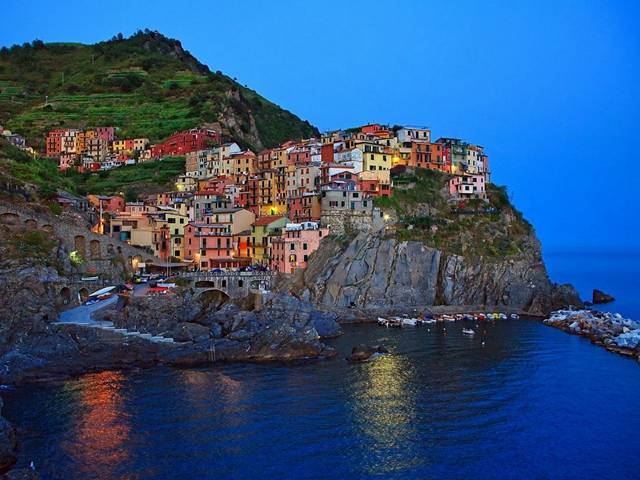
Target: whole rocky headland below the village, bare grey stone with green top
[(437, 253)]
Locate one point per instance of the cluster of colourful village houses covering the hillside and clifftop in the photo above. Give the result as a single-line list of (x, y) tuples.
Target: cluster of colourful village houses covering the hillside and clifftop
[(234, 209)]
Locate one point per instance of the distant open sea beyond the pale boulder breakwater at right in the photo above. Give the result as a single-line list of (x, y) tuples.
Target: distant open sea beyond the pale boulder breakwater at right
[(616, 272)]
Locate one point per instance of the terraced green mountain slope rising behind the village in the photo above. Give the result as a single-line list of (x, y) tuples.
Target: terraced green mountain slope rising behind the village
[(146, 85)]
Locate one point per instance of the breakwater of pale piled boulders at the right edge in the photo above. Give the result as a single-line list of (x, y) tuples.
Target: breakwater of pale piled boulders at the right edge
[(609, 330)]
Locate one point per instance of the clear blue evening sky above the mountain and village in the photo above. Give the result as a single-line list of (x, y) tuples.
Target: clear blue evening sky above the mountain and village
[(550, 88)]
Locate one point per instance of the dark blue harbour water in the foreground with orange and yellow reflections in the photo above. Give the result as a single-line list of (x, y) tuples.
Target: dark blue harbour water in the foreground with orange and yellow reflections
[(533, 402)]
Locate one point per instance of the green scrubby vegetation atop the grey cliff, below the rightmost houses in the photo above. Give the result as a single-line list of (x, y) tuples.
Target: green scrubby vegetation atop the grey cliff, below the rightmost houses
[(473, 227)]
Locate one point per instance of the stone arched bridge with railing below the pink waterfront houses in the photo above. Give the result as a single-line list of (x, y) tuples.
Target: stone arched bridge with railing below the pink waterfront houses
[(233, 284)]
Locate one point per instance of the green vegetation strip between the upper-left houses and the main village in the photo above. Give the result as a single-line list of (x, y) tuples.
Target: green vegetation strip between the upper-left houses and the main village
[(41, 176)]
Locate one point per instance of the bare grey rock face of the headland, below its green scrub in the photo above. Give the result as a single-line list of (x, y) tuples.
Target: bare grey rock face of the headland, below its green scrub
[(374, 271)]
